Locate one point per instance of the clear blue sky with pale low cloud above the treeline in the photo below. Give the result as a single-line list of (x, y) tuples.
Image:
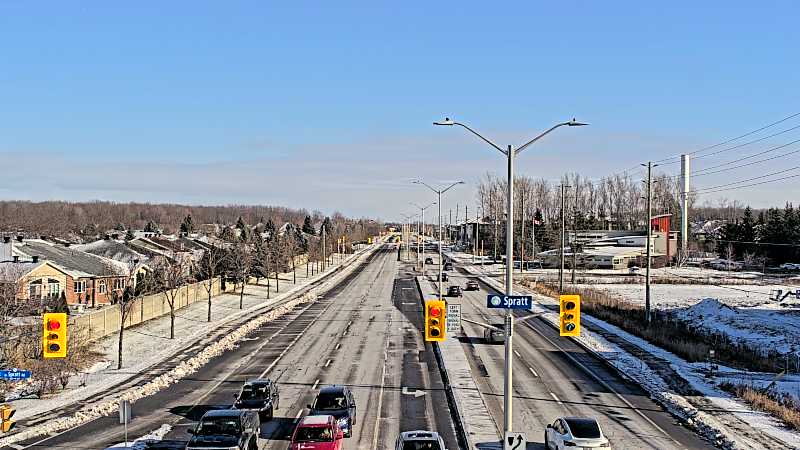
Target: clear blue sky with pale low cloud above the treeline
[(330, 107)]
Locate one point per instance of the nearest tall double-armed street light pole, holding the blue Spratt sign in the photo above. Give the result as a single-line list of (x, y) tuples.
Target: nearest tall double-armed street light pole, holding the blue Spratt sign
[(510, 153)]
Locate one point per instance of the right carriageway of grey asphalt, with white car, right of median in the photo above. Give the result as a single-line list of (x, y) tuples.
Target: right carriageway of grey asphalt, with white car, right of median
[(548, 383)]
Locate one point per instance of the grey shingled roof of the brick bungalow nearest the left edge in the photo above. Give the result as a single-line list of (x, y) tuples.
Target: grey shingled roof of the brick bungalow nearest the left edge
[(76, 263)]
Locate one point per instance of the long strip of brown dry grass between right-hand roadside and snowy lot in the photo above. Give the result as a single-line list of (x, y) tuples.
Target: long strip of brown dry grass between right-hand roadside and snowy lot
[(671, 334)]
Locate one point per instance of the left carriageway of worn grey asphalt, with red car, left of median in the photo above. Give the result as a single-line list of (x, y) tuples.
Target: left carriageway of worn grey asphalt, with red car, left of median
[(363, 333)]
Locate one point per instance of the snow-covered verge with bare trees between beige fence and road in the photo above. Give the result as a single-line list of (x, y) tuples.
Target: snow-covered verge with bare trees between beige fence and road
[(148, 344)]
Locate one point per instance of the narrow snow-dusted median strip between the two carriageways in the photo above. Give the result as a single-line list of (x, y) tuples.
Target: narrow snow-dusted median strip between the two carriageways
[(478, 425)]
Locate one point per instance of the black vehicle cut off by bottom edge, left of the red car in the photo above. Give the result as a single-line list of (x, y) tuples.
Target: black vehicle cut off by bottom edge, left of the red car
[(226, 428)]
